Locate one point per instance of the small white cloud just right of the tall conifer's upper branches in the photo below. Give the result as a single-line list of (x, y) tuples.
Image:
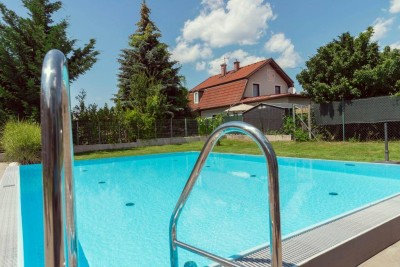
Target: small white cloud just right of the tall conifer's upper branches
[(186, 53)]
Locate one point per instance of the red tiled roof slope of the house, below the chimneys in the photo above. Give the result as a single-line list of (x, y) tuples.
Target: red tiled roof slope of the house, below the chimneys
[(220, 95)]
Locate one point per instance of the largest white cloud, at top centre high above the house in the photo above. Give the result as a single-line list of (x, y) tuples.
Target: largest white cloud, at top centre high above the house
[(235, 22)]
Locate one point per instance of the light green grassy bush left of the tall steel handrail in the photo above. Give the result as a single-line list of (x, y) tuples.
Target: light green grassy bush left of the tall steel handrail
[(21, 142)]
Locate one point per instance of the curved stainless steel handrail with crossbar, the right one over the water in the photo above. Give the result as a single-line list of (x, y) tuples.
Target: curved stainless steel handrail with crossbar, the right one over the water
[(273, 188)]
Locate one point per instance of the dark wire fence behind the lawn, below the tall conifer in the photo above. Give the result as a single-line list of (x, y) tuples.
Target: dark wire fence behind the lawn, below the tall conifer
[(107, 132)]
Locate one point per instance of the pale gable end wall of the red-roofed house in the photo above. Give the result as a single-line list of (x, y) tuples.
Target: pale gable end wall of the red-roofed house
[(267, 78)]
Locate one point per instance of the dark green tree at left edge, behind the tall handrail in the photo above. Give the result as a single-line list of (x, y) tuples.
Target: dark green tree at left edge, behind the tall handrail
[(23, 45)]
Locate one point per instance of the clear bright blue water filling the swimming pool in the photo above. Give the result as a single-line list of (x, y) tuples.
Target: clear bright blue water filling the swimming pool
[(124, 204)]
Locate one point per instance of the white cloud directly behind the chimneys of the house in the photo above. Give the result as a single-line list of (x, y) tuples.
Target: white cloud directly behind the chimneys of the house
[(214, 66)]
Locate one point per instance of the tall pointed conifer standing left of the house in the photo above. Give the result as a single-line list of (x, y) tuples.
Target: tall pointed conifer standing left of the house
[(148, 55)]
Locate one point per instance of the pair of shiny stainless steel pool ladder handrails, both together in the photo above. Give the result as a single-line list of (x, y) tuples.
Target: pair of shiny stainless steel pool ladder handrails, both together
[(57, 157)]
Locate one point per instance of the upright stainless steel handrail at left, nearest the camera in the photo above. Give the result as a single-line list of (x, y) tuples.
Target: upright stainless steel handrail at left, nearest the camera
[(59, 217)]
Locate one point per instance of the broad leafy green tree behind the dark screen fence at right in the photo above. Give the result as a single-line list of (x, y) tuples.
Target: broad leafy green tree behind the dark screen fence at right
[(351, 67)]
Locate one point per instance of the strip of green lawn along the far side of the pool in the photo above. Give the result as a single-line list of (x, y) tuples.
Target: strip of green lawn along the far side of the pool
[(354, 151)]
